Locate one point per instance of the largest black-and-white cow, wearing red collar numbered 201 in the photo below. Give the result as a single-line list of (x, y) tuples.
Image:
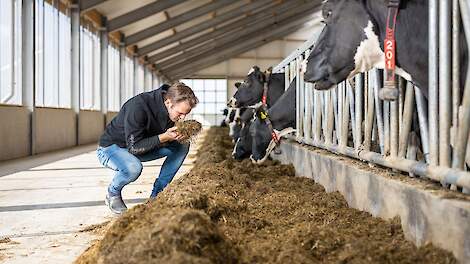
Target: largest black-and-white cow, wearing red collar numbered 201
[(353, 36)]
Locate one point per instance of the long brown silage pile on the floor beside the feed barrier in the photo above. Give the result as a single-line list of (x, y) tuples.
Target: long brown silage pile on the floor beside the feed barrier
[(225, 211)]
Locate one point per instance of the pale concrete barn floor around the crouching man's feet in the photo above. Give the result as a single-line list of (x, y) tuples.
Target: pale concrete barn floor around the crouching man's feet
[(47, 199)]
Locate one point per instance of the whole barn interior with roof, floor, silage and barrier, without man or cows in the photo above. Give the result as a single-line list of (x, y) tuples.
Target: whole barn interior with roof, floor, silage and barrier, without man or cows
[(347, 184)]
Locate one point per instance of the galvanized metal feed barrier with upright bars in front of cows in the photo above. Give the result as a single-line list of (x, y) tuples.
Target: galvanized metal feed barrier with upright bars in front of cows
[(428, 138)]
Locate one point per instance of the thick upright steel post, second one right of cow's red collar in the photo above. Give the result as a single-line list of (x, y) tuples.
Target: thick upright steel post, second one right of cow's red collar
[(444, 82)]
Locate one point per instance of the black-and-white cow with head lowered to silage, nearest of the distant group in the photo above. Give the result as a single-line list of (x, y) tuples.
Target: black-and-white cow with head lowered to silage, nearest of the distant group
[(282, 116)]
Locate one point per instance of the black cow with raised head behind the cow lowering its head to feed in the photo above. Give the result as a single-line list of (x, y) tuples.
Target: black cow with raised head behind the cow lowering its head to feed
[(250, 91)]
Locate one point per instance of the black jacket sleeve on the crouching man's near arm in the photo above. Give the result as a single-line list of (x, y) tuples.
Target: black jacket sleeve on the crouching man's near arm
[(134, 129)]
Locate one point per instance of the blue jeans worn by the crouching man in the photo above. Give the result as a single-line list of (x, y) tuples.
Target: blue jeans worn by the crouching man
[(128, 167)]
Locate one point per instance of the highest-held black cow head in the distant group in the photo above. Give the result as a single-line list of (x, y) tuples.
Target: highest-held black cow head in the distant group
[(250, 91)]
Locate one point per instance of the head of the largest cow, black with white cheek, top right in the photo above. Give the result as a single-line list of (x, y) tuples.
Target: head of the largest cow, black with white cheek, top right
[(347, 44)]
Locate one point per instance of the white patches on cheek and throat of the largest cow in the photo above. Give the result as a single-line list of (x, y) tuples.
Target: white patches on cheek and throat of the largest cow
[(369, 55)]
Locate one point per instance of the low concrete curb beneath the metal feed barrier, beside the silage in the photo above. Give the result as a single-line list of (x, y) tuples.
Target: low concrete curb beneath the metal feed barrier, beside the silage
[(426, 215)]
